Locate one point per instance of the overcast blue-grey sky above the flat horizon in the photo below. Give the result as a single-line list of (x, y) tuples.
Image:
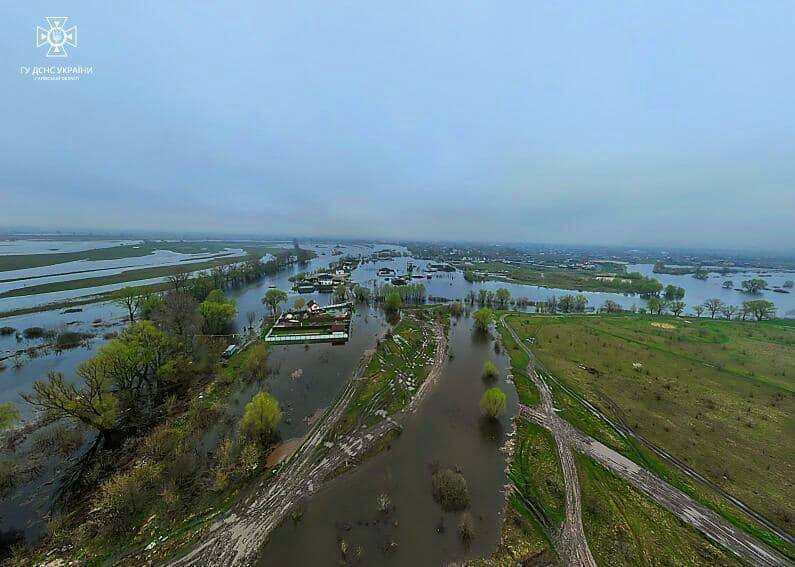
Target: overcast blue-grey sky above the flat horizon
[(575, 122)]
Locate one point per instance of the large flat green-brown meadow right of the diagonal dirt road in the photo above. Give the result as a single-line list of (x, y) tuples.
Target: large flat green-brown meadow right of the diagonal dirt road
[(715, 394)]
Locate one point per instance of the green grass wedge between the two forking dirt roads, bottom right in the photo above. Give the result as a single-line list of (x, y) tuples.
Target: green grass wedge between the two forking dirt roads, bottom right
[(624, 527)]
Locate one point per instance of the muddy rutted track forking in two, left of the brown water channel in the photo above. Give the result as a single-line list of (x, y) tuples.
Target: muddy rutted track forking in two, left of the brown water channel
[(236, 539)]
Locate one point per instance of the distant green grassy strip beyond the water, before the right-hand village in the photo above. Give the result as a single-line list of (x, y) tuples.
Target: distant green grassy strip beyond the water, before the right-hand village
[(565, 278)]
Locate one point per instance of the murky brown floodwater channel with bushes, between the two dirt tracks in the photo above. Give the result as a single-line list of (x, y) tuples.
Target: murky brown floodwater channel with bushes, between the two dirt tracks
[(447, 430)]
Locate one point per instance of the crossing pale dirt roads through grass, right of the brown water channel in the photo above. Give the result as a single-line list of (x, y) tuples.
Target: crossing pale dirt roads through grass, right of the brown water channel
[(573, 544)]
